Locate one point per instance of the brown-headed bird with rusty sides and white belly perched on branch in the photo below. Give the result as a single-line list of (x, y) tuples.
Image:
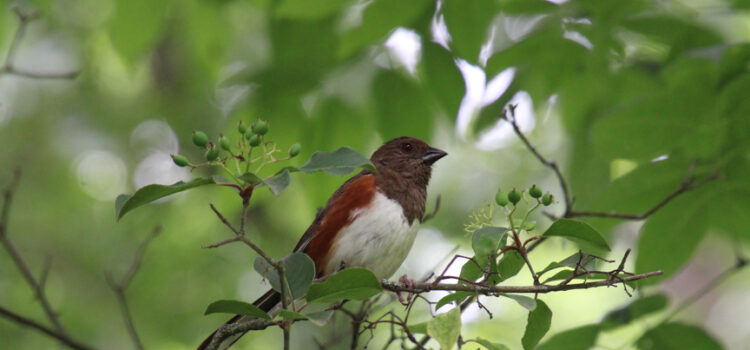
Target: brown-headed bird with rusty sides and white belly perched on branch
[(371, 221)]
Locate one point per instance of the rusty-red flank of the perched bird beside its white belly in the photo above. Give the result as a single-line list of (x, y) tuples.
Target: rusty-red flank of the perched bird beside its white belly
[(355, 193)]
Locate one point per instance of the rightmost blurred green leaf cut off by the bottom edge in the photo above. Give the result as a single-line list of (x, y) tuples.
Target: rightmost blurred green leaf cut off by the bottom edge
[(677, 336)]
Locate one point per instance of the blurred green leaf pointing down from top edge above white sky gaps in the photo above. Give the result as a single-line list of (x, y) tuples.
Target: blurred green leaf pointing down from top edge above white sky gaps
[(468, 21)]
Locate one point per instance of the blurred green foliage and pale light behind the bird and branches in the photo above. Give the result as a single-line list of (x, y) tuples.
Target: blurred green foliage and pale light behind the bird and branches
[(623, 94)]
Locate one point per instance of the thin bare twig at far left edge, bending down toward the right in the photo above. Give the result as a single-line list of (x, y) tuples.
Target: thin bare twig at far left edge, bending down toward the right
[(18, 259)]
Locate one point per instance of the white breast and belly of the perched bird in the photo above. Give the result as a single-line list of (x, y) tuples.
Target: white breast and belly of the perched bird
[(379, 238)]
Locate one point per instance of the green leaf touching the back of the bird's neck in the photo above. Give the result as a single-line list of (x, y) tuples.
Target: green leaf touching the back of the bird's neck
[(339, 162)]
